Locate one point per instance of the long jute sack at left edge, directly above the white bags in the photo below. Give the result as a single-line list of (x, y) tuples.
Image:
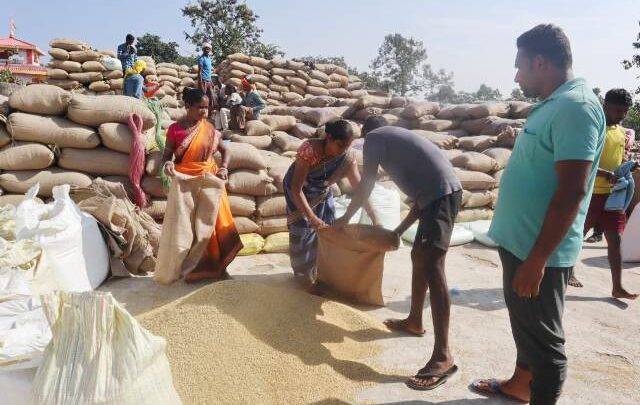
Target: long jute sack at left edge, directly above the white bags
[(21, 181)]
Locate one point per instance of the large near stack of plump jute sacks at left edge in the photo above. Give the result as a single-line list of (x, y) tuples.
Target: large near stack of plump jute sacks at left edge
[(54, 137)]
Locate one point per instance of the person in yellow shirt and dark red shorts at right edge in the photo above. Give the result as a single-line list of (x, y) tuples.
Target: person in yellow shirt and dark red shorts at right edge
[(616, 105)]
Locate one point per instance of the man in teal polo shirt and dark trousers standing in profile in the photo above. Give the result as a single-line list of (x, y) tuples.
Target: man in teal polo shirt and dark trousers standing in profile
[(539, 218)]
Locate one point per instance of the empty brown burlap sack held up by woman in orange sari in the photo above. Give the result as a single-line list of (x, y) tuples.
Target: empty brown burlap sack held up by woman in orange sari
[(192, 209)]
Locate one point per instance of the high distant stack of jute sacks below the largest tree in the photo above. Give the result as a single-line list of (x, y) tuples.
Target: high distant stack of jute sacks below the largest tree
[(280, 81)]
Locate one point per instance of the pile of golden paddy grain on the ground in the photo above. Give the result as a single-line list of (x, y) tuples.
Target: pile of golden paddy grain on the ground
[(244, 342)]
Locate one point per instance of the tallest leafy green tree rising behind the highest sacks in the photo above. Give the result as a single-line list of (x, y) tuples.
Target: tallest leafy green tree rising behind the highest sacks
[(230, 27)]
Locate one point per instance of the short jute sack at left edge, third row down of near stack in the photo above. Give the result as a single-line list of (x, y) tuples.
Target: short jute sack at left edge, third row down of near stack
[(25, 156)]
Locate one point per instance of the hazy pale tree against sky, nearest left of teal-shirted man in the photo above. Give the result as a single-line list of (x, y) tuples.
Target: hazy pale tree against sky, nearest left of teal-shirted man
[(398, 64)]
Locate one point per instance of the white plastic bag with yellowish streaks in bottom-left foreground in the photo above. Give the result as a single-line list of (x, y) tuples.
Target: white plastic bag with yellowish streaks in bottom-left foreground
[(100, 354)]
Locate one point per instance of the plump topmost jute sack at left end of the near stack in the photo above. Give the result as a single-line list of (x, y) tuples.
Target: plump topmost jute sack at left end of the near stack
[(40, 99)]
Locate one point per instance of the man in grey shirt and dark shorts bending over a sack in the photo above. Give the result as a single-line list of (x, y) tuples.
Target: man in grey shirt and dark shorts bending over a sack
[(423, 173)]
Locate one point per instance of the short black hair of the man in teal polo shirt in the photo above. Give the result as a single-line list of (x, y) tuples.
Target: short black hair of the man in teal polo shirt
[(549, 41)]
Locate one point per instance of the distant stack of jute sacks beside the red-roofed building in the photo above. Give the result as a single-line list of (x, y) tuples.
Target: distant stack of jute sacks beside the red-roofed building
[(76, 66)]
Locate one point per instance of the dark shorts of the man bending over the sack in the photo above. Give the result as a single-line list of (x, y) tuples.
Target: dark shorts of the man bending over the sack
[(436, 221)]
